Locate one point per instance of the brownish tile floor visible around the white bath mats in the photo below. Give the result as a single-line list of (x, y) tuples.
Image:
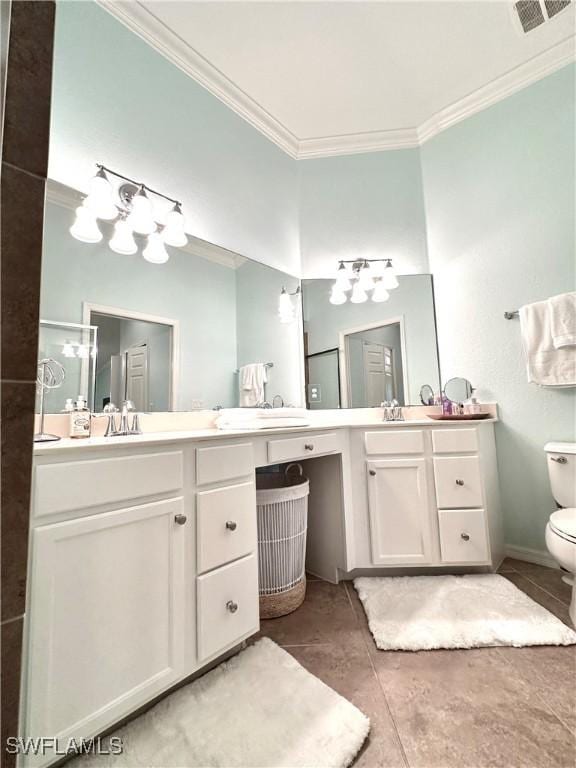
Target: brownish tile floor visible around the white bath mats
[(482, 708)]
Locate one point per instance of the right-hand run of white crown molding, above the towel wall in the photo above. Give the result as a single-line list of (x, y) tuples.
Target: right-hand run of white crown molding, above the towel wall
[(525, 74)]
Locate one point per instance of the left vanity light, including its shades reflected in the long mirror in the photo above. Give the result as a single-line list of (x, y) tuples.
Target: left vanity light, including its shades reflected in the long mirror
[(130, 205)]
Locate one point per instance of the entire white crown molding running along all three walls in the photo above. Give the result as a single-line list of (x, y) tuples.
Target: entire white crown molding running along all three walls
[(143, 23)]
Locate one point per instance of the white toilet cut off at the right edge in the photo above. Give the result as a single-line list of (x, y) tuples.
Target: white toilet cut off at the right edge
[(561, 527)]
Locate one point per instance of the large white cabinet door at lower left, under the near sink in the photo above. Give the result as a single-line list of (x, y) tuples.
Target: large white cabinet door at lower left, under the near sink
[(107, 617)]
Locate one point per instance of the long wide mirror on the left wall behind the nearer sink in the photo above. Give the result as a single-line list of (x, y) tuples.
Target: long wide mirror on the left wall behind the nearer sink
[(170, 336)]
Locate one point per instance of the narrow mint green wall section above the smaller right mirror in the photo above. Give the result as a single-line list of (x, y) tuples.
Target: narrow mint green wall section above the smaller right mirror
[(367, 205)]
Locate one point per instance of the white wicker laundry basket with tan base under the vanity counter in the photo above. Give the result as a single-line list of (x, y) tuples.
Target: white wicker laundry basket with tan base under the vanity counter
[(282, 502)]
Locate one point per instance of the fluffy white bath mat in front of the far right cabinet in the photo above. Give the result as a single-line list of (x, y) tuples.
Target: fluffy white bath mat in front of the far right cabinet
[(418, 613)]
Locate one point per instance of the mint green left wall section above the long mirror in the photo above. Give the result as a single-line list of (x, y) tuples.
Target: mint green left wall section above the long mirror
[(117, 101)]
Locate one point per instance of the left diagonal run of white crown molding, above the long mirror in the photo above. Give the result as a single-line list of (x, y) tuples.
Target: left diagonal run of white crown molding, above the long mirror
[(147, 26)]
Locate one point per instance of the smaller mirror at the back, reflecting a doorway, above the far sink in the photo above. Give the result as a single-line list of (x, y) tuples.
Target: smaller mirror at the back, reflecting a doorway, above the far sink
[(359, 355)]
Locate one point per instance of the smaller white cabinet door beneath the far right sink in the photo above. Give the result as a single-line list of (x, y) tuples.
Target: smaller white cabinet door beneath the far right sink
[(400, 511)]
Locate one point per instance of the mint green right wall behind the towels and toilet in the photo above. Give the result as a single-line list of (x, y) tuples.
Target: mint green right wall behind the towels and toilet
[(499, 191)]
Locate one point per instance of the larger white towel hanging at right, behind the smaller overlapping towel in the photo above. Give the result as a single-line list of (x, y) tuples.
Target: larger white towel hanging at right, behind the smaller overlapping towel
[(546, 365)]
